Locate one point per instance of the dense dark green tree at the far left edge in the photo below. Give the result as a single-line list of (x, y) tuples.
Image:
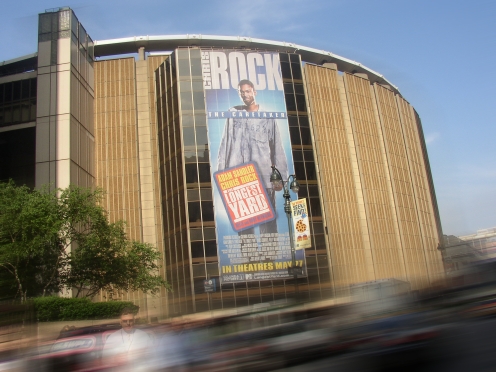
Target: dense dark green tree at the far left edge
[(31, 251)]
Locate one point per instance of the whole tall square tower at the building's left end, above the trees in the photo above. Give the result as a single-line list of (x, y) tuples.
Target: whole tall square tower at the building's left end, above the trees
[(64, 129)]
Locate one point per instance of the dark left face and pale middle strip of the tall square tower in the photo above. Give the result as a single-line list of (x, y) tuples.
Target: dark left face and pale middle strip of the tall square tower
[(53, 101)]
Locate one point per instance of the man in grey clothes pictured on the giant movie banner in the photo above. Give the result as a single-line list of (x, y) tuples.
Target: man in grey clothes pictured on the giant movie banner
[(253, 139)]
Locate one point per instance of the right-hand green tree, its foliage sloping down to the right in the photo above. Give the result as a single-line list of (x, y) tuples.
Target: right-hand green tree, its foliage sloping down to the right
[(102, 257)]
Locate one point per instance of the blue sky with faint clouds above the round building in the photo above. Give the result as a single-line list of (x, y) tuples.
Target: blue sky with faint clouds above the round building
[(441, 54)]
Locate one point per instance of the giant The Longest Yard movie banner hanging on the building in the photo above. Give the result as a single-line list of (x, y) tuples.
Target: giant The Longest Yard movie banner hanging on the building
[(248, 133)]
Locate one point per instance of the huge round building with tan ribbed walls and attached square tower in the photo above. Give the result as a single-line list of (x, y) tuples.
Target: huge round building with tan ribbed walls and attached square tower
[(140, 122)]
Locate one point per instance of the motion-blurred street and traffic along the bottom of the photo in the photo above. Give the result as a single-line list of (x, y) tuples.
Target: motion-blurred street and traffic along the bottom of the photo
[(444, 328)]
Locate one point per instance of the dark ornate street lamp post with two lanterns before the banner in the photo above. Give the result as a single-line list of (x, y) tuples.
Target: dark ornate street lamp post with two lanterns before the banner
[(278, 184)]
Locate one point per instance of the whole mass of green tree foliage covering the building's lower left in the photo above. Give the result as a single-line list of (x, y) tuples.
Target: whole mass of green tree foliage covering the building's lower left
[(57, 239)]
